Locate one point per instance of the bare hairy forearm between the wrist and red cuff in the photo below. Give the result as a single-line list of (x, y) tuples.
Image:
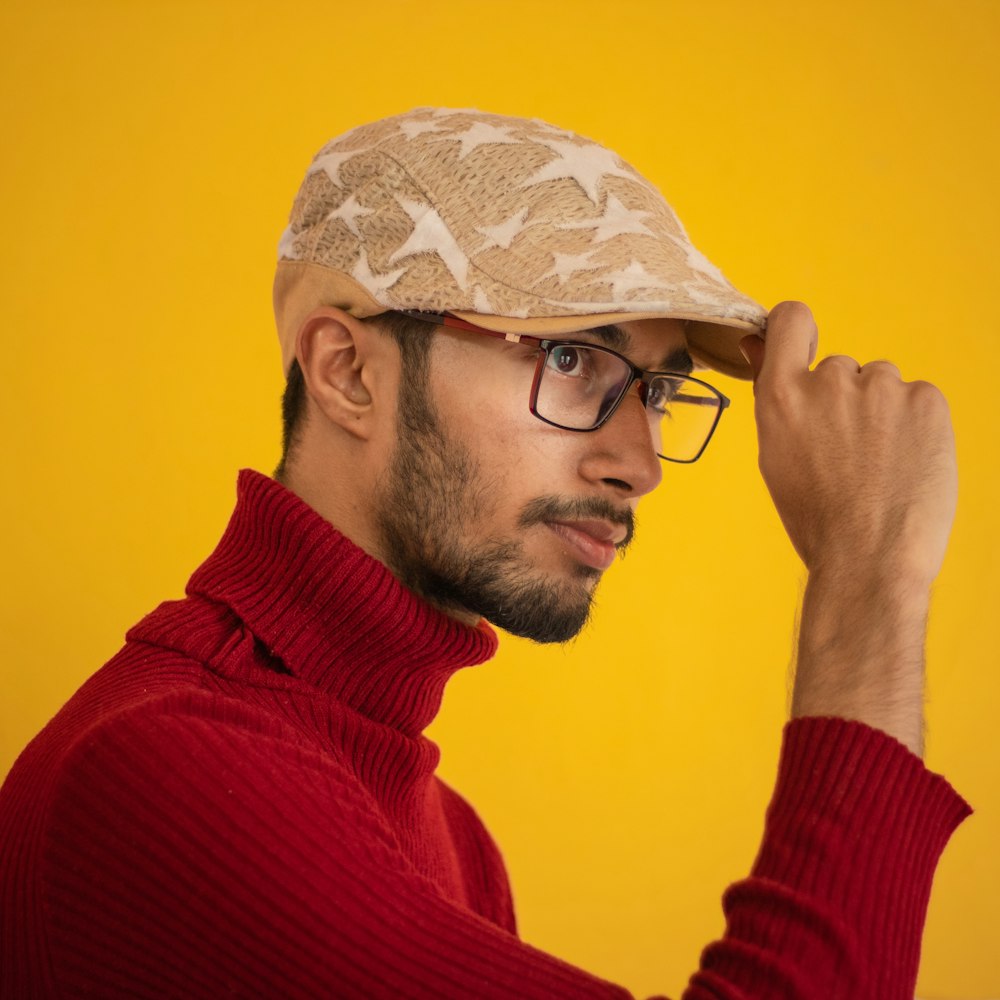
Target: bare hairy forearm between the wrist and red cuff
[(861, 649)]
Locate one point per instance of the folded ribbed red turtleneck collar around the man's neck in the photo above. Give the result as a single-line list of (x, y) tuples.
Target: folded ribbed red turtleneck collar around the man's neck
[(336, 617)]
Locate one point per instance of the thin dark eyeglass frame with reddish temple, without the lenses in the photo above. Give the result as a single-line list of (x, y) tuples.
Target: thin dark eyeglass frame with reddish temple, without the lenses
[(719, 400)]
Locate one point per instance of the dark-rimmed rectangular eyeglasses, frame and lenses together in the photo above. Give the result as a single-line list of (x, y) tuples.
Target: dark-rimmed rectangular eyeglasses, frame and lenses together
[(578, 387)]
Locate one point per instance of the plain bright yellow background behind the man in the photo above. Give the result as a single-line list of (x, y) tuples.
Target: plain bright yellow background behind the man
[(842, 153)]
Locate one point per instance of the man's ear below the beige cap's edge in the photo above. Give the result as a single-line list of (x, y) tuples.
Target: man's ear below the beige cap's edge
[(335, 352)]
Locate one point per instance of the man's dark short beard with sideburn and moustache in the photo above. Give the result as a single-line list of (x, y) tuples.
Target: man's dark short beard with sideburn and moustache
[(433, 490)]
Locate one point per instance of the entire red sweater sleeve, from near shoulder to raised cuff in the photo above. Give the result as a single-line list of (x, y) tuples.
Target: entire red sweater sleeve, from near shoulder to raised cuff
[(191, 857)]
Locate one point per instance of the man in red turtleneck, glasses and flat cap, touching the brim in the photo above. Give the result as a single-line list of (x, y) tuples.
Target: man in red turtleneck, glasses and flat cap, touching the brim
[(489, 327)]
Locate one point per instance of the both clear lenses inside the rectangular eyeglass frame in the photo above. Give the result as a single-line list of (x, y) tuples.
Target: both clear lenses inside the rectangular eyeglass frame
[(579, 386)]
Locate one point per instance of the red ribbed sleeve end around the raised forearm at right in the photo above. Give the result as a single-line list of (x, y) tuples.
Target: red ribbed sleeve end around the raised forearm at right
[(835, 904)]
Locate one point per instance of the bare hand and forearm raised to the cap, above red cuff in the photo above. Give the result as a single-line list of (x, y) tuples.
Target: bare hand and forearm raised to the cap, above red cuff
[(861, 467)]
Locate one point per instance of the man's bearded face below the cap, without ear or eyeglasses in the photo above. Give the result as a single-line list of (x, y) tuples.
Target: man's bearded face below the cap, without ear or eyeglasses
[(486, 510)]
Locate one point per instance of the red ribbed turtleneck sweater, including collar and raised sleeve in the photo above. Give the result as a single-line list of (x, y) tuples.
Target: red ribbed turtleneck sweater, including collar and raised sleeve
[(241, 803)]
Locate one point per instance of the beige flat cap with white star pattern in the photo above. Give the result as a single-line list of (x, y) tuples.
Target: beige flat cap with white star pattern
[(508, 223)]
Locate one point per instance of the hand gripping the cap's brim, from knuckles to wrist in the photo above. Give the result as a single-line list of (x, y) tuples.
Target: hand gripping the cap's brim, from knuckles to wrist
[(861, 465)]
